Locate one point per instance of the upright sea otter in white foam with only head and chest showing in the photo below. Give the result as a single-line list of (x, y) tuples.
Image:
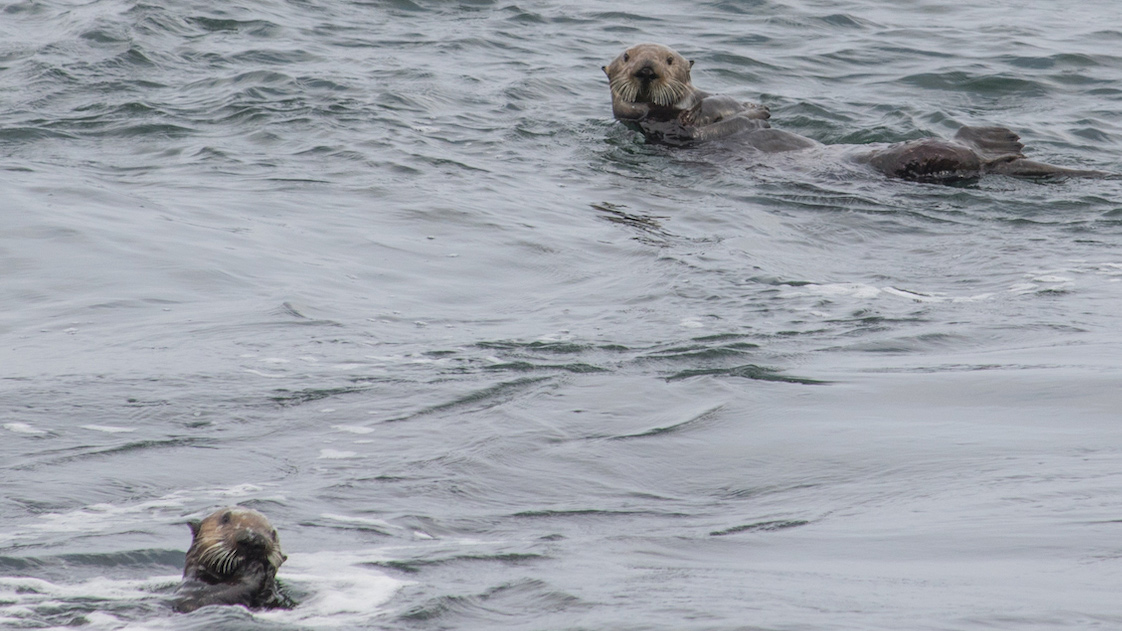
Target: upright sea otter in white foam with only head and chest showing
[(233, 561)]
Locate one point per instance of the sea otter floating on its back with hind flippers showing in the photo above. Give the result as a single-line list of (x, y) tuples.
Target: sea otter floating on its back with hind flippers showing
[(651, 93)]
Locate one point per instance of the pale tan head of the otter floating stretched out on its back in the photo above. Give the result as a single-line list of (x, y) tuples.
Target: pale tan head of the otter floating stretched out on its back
[(650, 74)]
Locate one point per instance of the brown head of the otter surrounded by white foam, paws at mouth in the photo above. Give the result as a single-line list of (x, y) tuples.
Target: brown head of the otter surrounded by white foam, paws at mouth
[(231, 542)]
